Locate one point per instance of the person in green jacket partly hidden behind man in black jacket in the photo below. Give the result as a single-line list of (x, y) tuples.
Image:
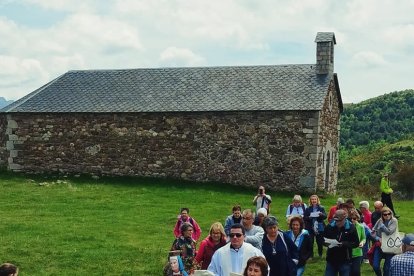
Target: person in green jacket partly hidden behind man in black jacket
[(357, 253)]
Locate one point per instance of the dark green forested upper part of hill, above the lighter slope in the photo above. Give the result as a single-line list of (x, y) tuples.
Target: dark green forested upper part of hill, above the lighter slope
[(389, 117)]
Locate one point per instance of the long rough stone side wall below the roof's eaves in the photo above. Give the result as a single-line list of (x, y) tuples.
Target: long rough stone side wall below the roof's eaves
[(277, 149)]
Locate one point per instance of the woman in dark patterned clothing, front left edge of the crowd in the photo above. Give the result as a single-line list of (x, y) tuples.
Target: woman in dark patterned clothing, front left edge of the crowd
[(186, 245)]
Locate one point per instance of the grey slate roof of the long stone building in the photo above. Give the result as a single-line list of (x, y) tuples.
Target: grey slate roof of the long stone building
[(233, 88)]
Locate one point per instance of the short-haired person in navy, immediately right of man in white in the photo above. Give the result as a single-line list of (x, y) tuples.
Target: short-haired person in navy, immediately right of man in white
[(280, 252)]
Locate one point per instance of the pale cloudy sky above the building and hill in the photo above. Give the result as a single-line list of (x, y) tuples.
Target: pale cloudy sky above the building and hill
[(43, 39)]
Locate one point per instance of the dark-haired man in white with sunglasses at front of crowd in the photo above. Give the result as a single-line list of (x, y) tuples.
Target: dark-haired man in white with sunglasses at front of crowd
[(234, 255)]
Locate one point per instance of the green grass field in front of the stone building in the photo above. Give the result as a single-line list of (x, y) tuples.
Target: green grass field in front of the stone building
[(117, 226)]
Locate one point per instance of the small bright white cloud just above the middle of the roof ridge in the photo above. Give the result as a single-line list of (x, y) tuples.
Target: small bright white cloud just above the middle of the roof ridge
[(173, 56)]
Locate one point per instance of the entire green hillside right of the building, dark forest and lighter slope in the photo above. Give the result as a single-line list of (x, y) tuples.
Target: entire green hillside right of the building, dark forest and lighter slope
[(377, 136)]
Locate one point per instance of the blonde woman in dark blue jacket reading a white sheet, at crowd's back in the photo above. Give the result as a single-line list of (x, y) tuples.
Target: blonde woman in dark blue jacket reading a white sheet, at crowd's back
[(314, 222)]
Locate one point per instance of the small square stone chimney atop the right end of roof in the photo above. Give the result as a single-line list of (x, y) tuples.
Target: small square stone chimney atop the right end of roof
[(324, 52)]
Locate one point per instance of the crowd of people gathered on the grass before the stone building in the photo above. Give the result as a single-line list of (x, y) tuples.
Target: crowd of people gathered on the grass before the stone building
[(253, 242)]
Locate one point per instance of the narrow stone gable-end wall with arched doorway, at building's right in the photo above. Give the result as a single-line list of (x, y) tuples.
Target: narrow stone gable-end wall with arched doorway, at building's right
[(328, 143)]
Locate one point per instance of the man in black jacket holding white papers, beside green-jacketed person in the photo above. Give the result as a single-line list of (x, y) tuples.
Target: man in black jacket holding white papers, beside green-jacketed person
[(340, 237)]
